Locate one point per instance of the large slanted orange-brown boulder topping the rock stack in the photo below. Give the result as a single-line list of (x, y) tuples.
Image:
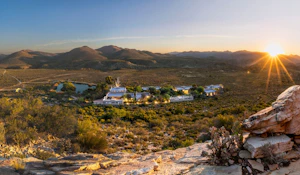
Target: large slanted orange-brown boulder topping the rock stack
[(282, 117)]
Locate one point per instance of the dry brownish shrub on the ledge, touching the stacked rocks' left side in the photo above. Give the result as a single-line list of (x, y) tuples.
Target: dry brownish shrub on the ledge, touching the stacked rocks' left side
[(224, 146)]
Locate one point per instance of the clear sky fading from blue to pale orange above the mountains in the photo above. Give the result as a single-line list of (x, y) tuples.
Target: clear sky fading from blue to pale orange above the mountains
[(154, 25)]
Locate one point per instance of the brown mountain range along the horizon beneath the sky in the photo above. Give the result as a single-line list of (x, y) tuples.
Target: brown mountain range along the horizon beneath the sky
[(114, 57)]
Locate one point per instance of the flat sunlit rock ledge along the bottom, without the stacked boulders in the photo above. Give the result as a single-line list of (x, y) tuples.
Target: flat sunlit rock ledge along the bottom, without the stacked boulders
[(187, 161)]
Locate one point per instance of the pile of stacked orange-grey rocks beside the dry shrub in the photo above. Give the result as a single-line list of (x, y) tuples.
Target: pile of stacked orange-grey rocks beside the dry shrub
[(277, 128)]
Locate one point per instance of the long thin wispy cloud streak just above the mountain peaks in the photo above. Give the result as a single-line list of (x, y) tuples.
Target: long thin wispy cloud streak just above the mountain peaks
[(62, 42)]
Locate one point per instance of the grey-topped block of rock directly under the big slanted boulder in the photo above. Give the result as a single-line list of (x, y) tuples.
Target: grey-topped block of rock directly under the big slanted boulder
[(279, 144)]
